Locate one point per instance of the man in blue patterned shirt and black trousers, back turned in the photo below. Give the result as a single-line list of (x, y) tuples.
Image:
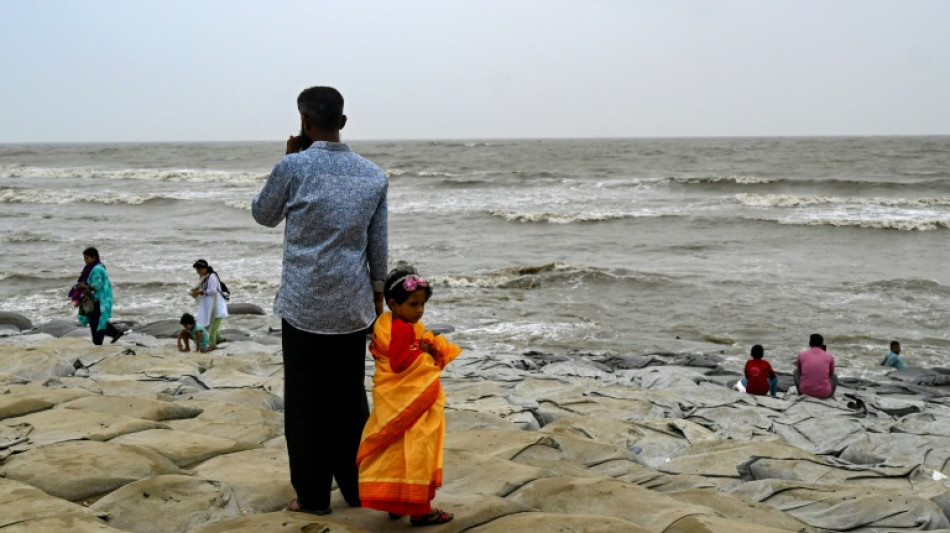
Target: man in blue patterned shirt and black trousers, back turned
[(331, 291)]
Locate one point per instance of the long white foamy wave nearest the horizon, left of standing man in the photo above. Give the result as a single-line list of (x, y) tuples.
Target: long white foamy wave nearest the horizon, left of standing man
[(144, 174)]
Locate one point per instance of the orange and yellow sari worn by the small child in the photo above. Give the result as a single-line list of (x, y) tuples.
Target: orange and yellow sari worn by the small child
[(400, 456)]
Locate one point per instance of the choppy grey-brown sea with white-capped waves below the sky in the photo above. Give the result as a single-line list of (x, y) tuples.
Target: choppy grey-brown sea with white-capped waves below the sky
[(594, 246)]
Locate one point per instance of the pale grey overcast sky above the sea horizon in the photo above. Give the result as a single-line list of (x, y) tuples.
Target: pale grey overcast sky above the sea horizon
[(170, 70)]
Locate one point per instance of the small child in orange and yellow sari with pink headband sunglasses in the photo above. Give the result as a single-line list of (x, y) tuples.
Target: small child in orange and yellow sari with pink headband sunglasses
[(400, 456)]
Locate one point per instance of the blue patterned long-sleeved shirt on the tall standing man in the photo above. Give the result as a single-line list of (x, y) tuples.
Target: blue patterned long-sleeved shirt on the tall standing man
[(335, 236)]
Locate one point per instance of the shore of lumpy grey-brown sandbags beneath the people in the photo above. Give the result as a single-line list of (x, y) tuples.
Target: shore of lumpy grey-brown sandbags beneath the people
[(138, 437)]
